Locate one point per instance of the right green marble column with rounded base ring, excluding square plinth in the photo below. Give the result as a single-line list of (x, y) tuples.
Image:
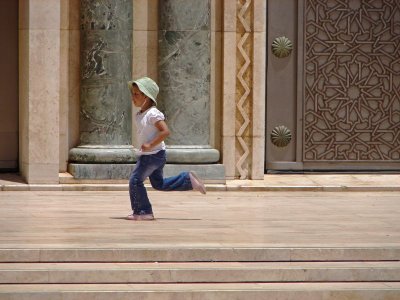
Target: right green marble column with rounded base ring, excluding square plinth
[(184, 79)]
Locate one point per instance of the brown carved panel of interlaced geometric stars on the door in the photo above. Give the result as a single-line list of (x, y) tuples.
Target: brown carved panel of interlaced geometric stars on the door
[(352, 80)]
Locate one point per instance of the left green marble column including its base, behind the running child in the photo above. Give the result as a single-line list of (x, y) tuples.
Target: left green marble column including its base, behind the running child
[(105, 150)]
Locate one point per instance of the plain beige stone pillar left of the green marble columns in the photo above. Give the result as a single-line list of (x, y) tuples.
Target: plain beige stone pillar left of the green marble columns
[(39, 89)]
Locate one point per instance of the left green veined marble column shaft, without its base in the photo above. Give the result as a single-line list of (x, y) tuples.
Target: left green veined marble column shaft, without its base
[(106, 47)]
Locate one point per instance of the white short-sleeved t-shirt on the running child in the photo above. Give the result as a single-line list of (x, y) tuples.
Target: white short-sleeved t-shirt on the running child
[(147, 131)]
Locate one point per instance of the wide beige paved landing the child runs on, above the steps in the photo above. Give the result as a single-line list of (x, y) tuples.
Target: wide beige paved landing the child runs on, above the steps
[(220, 219)]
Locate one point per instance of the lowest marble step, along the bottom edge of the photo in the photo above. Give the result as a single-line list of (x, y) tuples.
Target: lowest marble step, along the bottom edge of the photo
[(254, 291)]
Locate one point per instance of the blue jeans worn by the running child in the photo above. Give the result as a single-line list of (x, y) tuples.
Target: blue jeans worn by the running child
[(152, 166)]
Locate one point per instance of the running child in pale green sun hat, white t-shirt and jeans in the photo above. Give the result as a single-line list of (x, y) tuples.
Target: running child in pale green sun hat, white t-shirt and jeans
[(152, 131)]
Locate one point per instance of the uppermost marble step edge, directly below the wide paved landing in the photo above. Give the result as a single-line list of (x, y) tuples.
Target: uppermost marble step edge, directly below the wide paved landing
[(201, 254)]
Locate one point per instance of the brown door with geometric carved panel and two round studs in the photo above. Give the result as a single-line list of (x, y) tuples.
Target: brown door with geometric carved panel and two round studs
[(338, 92)]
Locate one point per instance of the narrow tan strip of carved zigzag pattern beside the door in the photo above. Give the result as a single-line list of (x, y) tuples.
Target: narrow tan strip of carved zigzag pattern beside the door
[(244, 83)]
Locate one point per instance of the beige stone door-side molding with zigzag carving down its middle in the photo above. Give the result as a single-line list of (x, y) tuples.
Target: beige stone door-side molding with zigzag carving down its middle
[(243, 137)]
